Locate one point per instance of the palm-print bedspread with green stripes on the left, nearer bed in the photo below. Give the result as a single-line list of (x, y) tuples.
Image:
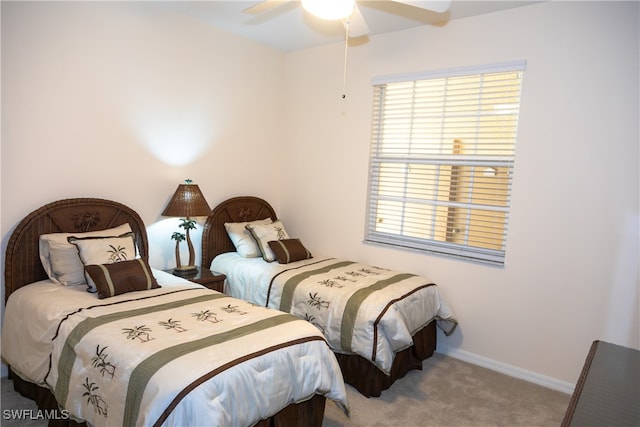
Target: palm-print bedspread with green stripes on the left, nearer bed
[(182, 355)]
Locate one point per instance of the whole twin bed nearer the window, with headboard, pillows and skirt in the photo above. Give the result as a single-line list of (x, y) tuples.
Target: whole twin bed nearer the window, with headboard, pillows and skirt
[(380, 323)]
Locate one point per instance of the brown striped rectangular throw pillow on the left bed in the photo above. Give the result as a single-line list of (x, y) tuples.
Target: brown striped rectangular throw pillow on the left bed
[(122, 277)]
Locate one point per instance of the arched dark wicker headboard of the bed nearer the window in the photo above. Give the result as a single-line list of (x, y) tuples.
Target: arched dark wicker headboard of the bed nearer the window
[(237, 209)]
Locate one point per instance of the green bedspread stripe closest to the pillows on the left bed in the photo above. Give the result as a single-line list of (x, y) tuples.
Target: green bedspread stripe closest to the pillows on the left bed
[(68, 356)]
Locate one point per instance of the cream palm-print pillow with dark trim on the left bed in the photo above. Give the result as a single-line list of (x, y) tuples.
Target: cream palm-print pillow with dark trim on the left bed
[(104, 250)]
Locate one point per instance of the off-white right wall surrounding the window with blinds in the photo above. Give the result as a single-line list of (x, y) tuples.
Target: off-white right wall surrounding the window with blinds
[(571, 273)]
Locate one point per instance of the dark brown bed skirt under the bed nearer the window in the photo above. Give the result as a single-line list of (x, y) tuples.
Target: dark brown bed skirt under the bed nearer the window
[(371, 381)]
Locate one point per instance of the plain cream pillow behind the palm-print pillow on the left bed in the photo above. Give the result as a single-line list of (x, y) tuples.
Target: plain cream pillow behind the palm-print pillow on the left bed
[(60, 258)]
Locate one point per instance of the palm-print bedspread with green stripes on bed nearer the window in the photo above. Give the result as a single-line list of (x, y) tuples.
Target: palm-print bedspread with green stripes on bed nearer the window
[(361, 309)]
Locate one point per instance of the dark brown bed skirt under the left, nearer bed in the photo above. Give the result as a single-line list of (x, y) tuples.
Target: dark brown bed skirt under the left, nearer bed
[(307, 413)]
